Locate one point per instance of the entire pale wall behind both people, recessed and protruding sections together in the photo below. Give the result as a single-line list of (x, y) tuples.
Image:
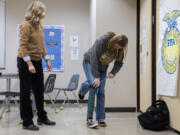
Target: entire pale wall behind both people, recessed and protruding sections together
[(87, 20)]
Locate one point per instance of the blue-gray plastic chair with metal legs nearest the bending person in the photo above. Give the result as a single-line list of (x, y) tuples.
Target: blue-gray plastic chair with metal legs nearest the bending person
[(72, 86)]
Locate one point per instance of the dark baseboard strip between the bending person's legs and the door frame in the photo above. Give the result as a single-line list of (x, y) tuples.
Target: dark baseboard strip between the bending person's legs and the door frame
[(120, 109)]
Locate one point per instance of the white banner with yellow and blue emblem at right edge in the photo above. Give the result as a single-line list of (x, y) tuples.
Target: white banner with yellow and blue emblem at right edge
[(168, 47)]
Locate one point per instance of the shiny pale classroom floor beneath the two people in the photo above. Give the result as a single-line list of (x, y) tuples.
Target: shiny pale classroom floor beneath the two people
[(71, 121)]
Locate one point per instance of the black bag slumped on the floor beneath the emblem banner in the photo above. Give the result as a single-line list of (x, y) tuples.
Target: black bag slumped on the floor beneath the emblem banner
[(156, 117)]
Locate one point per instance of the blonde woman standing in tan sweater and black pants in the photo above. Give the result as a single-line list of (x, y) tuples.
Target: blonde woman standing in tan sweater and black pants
[(31, 51)]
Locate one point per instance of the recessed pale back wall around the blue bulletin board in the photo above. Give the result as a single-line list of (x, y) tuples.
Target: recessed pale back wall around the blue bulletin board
[(75, 18)]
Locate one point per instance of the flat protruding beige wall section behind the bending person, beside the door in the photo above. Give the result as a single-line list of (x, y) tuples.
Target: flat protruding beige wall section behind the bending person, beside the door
[(120, 16)]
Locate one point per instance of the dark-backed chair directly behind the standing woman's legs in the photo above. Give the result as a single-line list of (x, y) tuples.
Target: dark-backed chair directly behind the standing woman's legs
[(49, 87)]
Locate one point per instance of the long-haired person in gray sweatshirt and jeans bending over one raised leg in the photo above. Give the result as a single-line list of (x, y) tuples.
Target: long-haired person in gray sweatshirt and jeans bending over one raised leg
[(109, 47)]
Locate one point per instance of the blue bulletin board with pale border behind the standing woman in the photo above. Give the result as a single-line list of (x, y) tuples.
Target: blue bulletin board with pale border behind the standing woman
[(54, 44)]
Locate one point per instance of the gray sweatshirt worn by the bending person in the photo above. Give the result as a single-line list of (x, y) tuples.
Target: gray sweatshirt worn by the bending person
[(95, 52)]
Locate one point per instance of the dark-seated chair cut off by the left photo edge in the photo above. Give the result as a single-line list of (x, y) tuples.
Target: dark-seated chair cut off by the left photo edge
[(5, 107)]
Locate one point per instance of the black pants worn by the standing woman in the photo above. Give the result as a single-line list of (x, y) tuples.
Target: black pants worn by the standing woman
[(28, 82)]
